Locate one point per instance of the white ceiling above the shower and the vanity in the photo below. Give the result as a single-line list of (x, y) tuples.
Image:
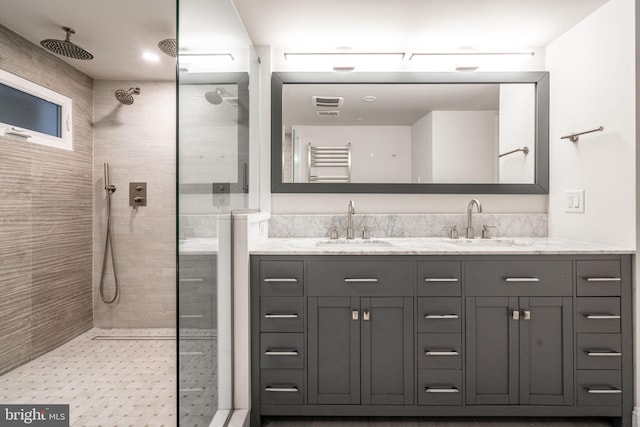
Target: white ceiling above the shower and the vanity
[(117, 31)]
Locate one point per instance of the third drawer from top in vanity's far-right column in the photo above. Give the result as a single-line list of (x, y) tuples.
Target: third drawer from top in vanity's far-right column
[(599, 351)]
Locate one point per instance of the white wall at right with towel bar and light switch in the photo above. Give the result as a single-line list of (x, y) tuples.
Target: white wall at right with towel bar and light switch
[(592, 69)]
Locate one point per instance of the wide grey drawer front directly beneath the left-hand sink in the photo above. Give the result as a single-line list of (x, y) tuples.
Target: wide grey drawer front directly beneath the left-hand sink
[(356, 278)]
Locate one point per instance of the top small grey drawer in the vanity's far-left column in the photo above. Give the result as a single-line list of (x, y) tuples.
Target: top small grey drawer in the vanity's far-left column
[(281, 278)]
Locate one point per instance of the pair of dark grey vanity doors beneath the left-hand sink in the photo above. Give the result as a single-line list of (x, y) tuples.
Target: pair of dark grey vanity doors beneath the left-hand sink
[(360, 351)]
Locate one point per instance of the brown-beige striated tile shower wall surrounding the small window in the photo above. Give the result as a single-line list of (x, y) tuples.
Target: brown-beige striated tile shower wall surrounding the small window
[(45, 218)]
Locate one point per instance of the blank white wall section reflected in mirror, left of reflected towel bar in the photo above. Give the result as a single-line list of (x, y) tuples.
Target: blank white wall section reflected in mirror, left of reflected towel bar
[(464, 146)]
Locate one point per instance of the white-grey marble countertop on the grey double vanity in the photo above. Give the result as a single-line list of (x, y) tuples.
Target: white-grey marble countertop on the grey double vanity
[(430, 246)]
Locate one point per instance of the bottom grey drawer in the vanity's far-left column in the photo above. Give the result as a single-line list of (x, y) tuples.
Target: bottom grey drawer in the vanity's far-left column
[(281, 386)]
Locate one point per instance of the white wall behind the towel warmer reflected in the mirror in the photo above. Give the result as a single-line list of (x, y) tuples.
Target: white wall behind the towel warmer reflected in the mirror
[(378, 153)]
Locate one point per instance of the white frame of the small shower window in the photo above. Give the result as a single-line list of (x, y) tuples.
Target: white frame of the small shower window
[(65, 141)]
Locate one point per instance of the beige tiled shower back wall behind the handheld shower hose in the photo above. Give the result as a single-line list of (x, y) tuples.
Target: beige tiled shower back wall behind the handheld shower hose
[(138, 141)]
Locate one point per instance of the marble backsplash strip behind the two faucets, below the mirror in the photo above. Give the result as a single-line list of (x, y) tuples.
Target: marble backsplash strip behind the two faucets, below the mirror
[(409, 225)]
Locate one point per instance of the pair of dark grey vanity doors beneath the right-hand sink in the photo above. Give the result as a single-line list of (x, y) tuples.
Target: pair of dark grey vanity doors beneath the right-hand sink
[(519, 351)]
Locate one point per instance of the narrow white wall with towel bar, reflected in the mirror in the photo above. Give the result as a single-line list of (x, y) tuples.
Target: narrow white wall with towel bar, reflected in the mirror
[(517, 129)]
